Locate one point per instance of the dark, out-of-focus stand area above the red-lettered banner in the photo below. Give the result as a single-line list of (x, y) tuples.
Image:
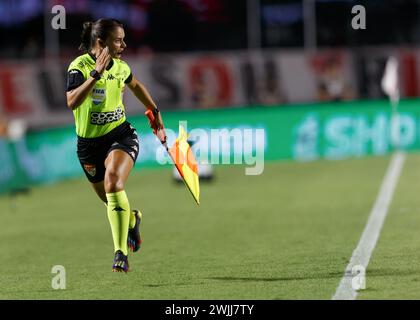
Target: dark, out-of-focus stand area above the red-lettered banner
[(207, 25)]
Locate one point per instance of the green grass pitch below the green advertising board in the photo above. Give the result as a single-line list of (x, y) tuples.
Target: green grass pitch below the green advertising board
[(286, 234)]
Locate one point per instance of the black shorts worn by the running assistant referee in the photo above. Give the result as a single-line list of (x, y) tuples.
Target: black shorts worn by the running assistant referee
[(92, 152)]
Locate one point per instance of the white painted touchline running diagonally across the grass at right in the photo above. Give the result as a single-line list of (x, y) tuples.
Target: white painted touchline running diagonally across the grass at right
[(370, 235)]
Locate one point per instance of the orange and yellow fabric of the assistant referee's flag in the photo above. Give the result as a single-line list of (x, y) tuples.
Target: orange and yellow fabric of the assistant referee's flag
[(186, 164)]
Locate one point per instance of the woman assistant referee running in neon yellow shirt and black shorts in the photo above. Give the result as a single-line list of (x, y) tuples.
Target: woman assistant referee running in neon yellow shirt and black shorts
[(108, 145)]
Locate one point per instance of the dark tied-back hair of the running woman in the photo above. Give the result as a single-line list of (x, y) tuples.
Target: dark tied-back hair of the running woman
[(99, 29)]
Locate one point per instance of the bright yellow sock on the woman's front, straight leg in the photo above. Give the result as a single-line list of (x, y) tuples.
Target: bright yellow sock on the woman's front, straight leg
[(118, 210)]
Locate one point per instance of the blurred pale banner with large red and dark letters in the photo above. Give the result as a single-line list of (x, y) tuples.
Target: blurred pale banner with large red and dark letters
[(35, 90)]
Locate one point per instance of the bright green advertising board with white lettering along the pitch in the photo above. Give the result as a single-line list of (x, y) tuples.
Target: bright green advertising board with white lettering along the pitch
[(301, 133)]
